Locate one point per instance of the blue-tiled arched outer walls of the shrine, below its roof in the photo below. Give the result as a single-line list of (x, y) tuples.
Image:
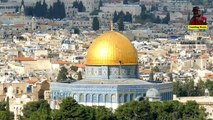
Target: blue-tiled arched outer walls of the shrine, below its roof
[(107, 93)]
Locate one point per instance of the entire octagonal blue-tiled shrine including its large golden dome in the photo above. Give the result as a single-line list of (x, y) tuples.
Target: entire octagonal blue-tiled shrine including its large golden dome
[(111, 77)]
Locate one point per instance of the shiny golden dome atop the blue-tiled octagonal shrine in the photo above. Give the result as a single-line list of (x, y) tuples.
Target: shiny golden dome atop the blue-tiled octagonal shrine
[(111, 48)]
